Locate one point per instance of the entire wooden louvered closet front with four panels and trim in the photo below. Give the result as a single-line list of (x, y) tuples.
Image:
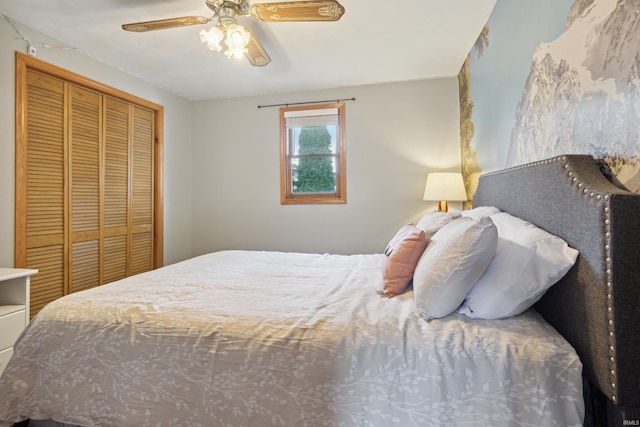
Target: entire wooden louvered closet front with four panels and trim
[(85, 183)]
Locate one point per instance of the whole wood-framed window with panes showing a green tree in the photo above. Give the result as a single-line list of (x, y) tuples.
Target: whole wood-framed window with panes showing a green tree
[(312, 154)]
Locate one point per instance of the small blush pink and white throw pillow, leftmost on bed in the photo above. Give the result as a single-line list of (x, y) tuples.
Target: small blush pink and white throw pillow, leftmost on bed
[(403, 253)]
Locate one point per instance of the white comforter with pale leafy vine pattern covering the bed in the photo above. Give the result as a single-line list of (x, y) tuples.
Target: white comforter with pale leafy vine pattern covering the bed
[(261, 338)]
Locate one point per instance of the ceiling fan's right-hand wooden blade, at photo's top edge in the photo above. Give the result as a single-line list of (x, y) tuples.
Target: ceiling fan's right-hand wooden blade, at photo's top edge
[(297, 11)]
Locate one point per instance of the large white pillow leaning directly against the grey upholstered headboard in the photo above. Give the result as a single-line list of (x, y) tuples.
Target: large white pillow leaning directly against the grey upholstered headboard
[(528, 261)]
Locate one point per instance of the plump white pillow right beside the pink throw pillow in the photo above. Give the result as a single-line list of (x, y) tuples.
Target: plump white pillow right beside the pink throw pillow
[(454, 259)]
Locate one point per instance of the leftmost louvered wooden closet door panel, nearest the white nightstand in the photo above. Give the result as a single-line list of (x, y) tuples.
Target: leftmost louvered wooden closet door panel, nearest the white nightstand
[(45, 188)]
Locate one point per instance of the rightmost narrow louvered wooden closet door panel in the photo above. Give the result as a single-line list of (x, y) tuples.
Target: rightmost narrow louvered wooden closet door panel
[(142, 191)]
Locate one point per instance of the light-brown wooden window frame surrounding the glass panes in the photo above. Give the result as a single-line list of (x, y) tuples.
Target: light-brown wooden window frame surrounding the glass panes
[(287, 196)]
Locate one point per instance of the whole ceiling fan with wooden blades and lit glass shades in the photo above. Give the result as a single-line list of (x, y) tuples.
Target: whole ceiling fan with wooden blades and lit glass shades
[(240, 40)]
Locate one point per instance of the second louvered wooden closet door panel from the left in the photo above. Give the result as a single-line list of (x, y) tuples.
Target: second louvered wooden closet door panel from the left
[(84, 179)]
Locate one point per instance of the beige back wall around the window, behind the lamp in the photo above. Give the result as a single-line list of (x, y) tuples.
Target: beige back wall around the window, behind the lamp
[(396, 134)]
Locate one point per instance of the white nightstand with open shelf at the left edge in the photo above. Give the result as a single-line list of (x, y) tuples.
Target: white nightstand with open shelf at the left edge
[(14, 308)]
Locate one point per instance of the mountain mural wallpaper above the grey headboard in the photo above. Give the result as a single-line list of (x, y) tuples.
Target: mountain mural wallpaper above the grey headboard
[(552, 77)]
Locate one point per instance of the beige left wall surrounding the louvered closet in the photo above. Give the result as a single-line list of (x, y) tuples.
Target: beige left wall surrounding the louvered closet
[(177, 226)]
